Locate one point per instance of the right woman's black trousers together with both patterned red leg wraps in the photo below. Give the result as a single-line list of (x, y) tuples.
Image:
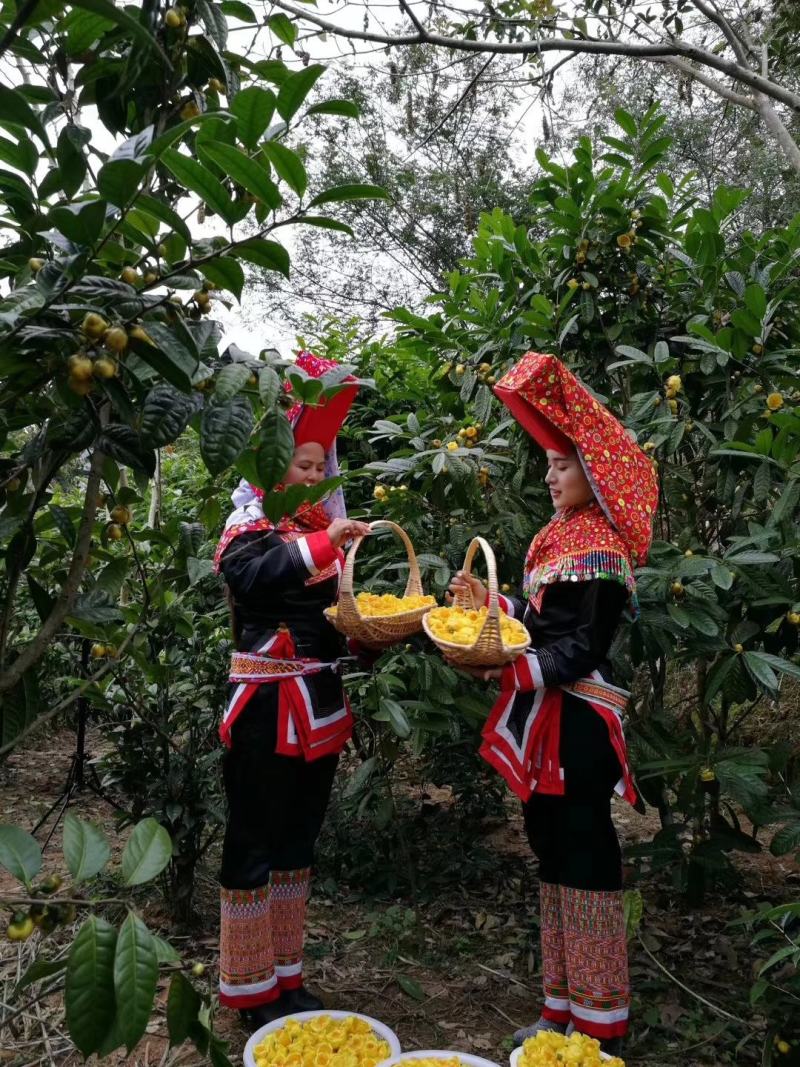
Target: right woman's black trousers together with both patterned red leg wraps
[(584, 948)]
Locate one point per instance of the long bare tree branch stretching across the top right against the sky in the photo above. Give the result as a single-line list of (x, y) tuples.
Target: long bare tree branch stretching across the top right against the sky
[(590, 46)]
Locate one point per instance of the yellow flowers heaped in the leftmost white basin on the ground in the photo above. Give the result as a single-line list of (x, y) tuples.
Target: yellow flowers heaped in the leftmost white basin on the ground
[(323, 1042)]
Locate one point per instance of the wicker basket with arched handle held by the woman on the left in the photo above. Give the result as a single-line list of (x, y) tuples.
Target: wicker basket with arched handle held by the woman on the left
[(382, 629)]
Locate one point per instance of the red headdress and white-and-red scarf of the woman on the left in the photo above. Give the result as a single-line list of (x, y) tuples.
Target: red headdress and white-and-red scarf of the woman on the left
[(318, 423)]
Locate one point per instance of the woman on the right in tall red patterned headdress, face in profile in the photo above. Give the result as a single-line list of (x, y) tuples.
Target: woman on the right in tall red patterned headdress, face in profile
[(555, 735)]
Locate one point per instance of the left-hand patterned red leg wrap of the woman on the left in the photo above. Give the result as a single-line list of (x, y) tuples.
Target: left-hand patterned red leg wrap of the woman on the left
[(247, 960)]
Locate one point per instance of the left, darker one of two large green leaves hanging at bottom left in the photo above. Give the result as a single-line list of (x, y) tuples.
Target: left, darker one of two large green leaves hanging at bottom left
[(89, 997)]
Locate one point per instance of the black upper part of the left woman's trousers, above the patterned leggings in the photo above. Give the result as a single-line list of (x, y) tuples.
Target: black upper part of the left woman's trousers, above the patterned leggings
[(277, 804)]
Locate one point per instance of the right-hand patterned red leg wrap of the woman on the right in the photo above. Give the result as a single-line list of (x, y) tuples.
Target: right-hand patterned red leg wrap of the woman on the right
[(597, 962)]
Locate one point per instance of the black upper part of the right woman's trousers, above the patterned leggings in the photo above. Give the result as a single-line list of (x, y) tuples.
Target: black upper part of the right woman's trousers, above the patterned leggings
[(573, 836)]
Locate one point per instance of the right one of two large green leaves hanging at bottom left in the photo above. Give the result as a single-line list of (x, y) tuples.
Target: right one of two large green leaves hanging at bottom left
[(136, 978)]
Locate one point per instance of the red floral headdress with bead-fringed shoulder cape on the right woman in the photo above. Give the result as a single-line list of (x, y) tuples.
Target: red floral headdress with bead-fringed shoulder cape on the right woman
[(562, 415)]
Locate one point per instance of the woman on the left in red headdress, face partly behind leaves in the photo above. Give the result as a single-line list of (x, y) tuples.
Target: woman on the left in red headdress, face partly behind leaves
[(289, 718)]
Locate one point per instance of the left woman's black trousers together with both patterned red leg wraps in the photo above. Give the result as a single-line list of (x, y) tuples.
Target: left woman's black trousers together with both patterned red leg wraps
[(277, 805)]
